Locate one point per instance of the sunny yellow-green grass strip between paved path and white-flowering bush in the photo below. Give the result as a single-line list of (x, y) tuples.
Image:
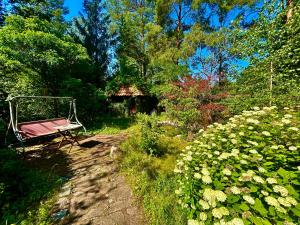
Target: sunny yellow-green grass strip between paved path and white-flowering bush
[(153, 179)]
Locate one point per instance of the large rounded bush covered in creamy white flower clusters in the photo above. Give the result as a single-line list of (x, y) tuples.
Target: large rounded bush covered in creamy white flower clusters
[(243, 172)]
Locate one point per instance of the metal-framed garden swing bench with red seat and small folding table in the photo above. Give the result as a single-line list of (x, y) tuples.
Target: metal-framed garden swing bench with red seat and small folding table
[(42, 128)]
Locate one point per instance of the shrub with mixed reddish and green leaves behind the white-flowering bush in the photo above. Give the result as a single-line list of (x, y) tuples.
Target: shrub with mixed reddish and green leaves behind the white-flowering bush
[(192, 103)]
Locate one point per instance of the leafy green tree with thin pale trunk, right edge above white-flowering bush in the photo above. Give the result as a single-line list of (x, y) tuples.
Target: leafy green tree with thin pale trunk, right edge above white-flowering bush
[(271, 46)]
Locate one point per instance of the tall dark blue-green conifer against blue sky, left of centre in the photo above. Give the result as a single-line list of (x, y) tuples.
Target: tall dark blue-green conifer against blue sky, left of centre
[(91, 30)]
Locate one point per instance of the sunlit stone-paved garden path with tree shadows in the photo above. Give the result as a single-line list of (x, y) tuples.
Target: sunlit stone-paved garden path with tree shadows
[(96, 192)]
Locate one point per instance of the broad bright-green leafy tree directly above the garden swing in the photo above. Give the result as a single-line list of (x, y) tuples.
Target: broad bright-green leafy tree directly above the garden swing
[(35, 54)]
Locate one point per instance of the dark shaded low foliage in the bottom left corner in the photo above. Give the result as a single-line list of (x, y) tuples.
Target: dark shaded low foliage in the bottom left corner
[(22, 189)]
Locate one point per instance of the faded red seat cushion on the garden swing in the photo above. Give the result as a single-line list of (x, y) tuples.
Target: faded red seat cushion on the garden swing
[(41, 127)]
